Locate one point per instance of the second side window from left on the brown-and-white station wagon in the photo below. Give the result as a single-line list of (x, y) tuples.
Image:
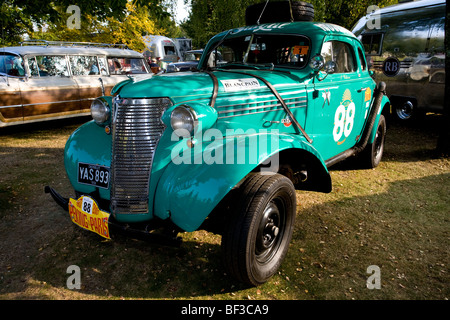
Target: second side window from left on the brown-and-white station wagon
[(48, 66)]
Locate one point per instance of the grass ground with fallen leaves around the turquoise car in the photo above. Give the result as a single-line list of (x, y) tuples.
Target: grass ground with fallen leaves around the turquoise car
[(395, 217)]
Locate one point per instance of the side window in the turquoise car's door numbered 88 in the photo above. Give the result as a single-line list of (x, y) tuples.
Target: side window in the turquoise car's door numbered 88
[(342, 54)]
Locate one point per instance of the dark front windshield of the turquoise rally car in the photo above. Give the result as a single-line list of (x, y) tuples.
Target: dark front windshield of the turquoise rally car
[(261, 51)]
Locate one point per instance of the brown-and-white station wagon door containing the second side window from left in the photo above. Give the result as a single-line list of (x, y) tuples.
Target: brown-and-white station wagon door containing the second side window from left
[(49, 91)]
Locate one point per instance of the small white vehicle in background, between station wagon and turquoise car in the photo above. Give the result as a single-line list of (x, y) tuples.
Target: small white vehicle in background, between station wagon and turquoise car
[(161, 48)]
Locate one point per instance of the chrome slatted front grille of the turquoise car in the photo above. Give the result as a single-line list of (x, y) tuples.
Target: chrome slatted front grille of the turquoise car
[(137, 128)]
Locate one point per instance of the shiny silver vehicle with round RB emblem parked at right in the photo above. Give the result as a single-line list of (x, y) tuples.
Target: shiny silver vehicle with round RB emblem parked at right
[(405, 47)]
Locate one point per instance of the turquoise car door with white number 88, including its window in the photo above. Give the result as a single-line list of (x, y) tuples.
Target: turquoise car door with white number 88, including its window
[(338, 99)]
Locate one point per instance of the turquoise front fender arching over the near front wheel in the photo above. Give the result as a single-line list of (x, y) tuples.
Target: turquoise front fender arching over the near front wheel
[(188, 191)]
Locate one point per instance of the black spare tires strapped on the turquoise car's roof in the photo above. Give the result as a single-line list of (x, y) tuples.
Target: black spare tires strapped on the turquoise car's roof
[(279, 11)]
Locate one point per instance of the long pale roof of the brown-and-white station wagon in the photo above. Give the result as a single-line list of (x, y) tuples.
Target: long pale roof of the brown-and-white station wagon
[(76, 50)]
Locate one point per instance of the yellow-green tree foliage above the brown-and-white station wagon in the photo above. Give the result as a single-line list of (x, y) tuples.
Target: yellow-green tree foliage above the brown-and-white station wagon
[(116, 21)]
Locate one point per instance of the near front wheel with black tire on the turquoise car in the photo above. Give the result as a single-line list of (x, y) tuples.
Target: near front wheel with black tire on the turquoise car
[(258, 233)]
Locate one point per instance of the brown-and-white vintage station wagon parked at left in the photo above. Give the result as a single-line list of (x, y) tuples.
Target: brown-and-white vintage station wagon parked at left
[(42, 80)]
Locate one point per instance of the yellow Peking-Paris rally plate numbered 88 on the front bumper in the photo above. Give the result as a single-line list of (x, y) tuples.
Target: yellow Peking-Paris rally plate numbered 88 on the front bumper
[(85, 213)]
